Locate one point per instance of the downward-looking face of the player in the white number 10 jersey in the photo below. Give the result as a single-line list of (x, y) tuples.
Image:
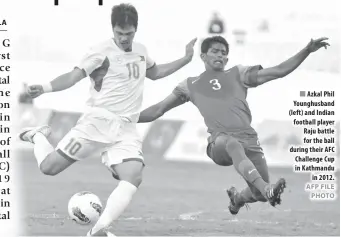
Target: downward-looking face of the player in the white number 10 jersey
[(124, 36)]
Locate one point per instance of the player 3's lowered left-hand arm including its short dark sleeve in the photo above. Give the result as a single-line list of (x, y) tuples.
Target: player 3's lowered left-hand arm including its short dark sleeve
[(179, 96)]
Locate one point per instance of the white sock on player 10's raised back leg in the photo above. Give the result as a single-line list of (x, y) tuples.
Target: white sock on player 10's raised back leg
[(42, 147)]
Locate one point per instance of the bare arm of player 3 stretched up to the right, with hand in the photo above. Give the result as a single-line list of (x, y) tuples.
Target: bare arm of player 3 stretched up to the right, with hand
[(288, 66)]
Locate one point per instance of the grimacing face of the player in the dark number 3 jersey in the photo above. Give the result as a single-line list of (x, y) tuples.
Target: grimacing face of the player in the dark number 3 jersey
[(216, 57)]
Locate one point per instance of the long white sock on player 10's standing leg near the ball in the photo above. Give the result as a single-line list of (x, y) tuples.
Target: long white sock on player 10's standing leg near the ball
[(117, 202)]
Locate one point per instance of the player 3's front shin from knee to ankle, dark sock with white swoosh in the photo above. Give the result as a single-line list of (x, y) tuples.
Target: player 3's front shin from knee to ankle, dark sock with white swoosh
[(245, 167)]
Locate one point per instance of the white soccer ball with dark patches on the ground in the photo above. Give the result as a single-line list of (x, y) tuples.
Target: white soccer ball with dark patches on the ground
[(84, 208)]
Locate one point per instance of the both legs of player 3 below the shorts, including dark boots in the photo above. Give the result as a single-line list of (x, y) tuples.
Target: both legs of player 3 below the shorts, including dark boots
[(251, 165)]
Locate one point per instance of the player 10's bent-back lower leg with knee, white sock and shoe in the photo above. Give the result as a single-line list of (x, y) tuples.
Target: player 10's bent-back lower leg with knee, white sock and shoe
[(49, 161)]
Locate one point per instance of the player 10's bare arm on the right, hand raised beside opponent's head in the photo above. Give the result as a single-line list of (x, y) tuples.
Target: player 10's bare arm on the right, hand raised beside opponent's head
[(160, 71)]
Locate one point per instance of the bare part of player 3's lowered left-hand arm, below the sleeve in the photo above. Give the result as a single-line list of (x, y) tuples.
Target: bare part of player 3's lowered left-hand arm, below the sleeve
[(157, 110)]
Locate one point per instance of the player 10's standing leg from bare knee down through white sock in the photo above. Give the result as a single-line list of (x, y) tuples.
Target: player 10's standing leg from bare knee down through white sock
[(130, 175)]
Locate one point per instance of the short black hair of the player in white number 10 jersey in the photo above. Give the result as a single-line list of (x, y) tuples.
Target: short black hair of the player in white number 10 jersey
[(124, 14)]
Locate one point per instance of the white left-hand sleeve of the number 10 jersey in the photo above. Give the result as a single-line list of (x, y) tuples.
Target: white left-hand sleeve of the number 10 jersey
[(91, 61)]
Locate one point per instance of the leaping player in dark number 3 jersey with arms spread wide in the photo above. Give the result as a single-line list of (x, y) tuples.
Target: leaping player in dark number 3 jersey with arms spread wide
[(220, 95)]
